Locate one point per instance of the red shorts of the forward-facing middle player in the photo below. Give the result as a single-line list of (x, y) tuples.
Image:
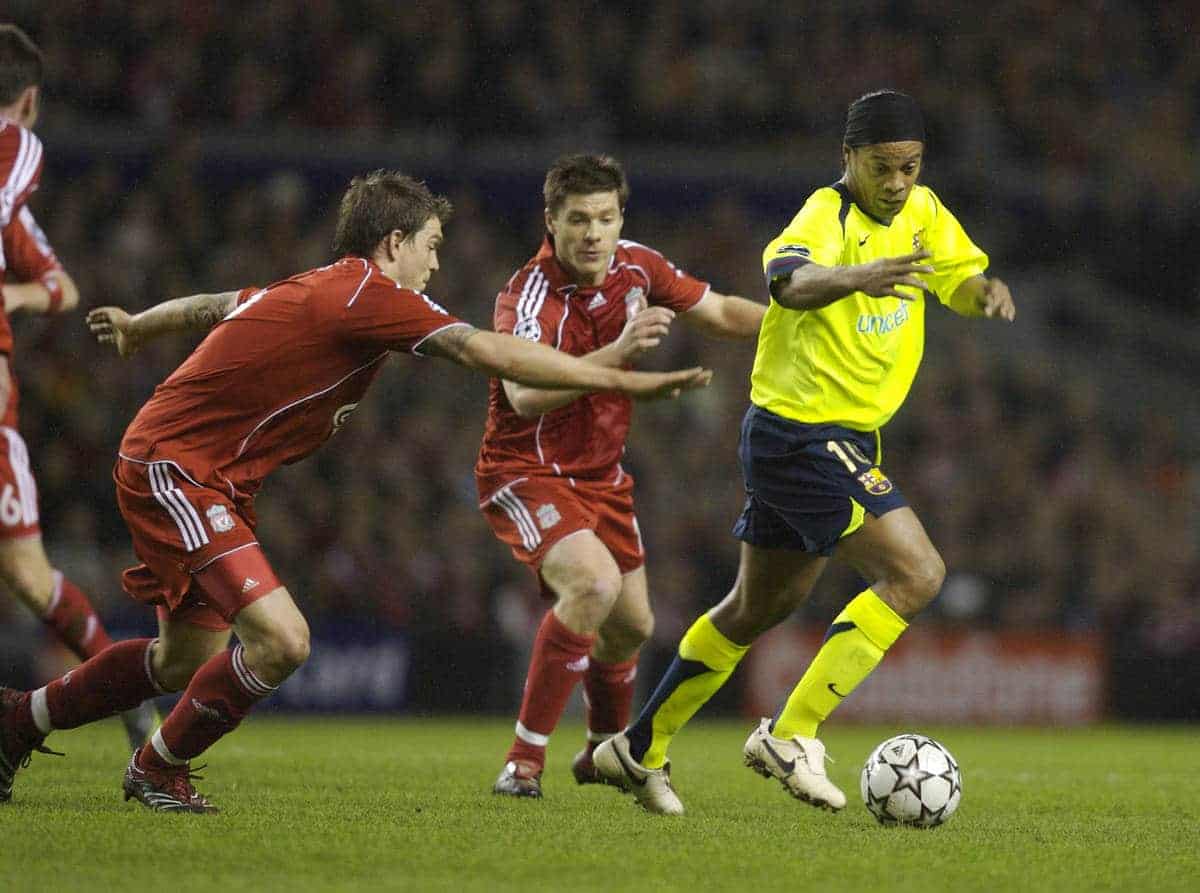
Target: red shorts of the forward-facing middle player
[(532, 514)]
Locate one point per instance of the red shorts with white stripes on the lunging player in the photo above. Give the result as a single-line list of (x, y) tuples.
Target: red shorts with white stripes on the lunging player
[(202, 564)]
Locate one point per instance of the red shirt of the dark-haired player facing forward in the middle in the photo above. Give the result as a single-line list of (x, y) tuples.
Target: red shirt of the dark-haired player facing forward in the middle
[(586, 437)]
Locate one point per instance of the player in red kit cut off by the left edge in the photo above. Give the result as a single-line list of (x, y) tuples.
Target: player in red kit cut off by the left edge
[(34, 281)]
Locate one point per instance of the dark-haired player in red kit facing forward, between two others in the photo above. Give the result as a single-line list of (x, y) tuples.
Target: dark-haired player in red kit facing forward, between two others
[(549, 474)]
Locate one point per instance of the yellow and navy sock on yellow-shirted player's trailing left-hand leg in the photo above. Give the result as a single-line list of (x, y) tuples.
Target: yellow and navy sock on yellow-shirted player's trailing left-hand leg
[(705, 662)]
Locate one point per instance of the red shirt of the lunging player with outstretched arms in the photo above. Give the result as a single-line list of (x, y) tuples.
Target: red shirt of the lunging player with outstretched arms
[(280, 375)]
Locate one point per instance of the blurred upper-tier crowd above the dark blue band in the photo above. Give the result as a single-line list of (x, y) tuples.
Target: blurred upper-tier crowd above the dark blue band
[(1079, 117)]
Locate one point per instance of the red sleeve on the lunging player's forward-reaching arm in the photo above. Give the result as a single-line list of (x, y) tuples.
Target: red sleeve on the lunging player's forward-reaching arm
[(395, 319)]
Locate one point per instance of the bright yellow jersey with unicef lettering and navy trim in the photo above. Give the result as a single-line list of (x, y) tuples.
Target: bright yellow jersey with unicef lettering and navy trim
[(853, 362)]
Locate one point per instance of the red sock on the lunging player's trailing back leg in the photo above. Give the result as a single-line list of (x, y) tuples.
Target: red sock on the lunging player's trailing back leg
[(116, 680)]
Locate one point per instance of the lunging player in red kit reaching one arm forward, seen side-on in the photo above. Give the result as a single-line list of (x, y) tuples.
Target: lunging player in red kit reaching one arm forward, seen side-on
[(281, 371)]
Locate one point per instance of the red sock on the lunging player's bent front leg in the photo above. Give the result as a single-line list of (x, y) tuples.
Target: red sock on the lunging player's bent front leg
[(218, 699)]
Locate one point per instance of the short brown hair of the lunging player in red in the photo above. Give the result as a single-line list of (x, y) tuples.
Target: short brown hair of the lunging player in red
[(380, 203)]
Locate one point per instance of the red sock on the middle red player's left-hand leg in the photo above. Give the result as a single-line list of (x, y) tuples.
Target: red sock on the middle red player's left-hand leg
[(560, 660)]
